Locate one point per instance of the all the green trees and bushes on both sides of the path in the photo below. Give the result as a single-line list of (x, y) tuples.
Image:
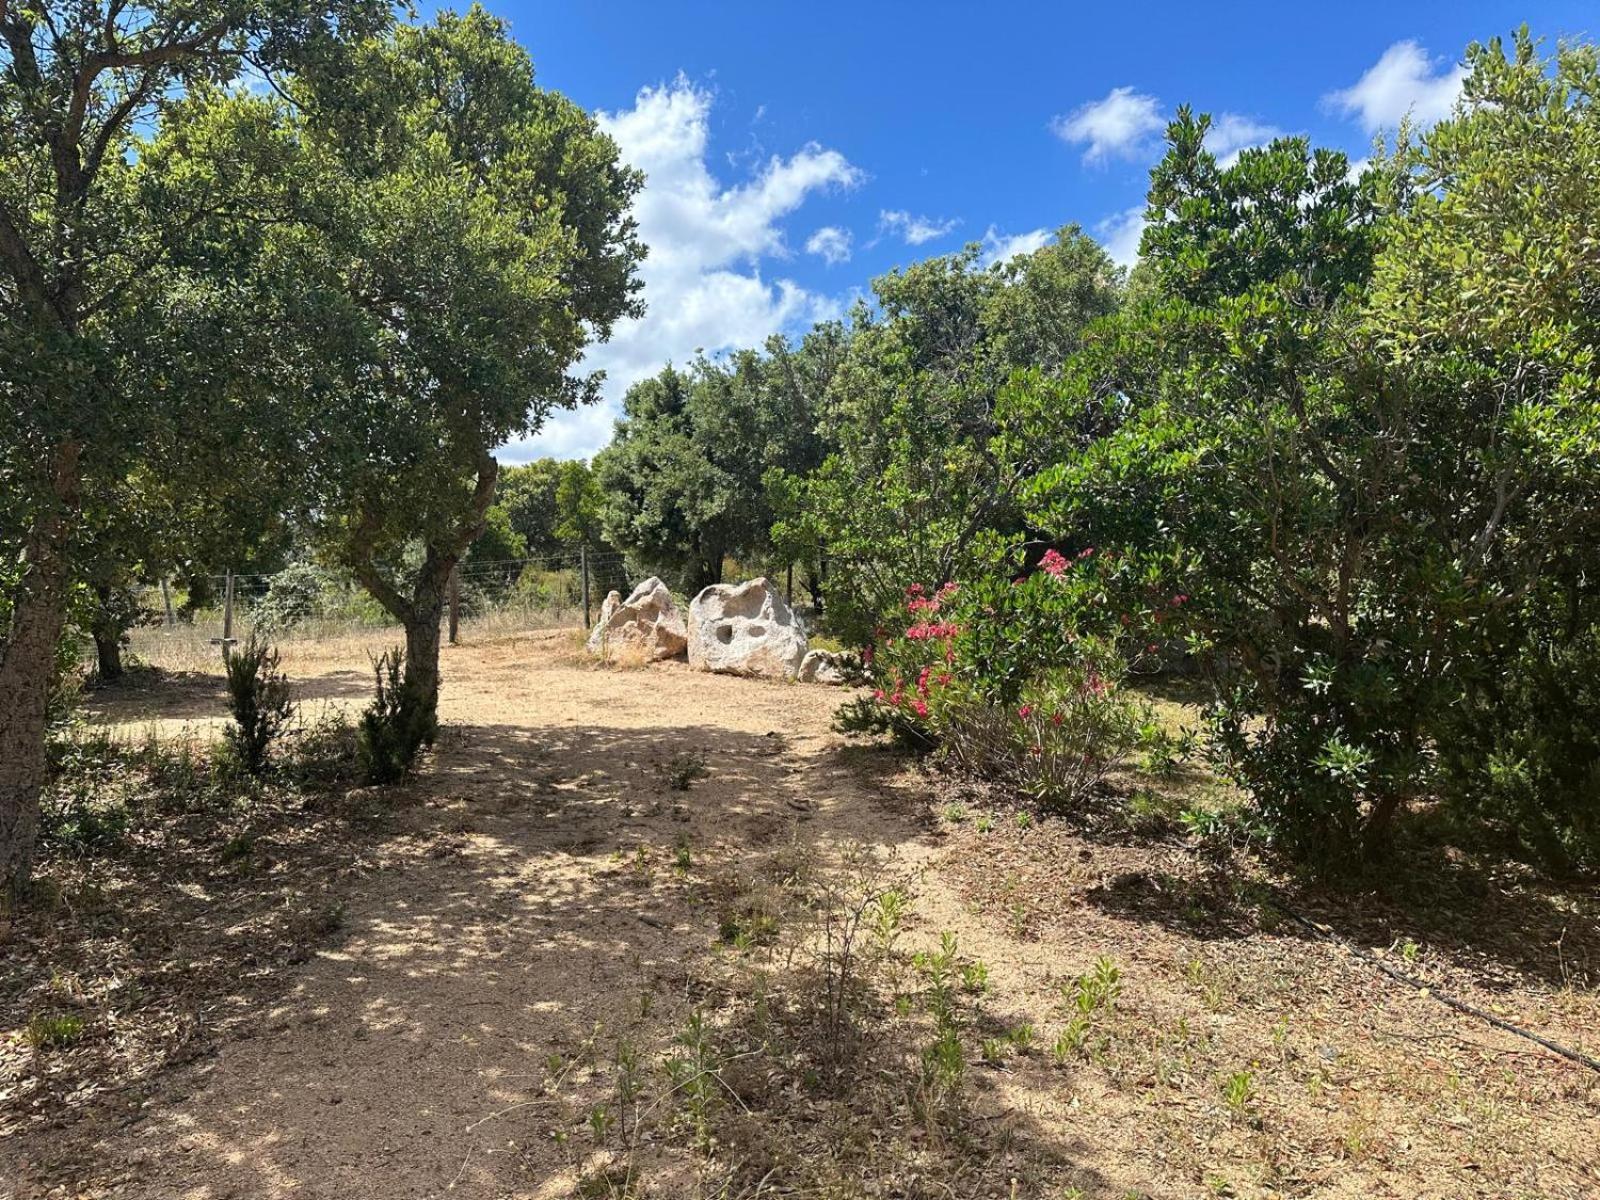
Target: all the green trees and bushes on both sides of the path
[(1334, 447)]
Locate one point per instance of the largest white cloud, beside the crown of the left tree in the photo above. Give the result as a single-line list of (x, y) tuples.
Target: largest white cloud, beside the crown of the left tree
[(703, 279)]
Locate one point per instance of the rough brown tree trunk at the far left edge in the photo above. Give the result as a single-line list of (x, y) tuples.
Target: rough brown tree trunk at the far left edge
[(28, 671)]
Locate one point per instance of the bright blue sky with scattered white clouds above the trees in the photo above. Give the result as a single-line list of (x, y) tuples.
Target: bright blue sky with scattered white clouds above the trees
[(798, 151)]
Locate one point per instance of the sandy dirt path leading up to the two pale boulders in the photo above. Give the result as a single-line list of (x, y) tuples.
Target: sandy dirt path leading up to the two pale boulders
[(545, 910)]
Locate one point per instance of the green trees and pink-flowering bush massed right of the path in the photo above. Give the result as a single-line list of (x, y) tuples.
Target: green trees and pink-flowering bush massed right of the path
[(1335, 447)]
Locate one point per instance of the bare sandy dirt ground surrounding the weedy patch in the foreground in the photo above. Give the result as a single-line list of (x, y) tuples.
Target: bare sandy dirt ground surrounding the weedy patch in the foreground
[(527, 908)]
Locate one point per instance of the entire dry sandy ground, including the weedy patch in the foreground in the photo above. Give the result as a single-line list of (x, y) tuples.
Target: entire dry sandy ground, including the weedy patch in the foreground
[(542, 903)]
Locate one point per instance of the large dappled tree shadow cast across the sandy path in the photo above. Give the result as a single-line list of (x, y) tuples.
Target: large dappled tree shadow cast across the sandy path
[(532, 902)]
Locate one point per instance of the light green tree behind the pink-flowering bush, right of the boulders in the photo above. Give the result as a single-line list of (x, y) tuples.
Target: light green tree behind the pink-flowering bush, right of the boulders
[(911, 479)]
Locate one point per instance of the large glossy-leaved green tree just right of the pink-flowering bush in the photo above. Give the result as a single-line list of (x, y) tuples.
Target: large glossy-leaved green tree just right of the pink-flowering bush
[(1334, 518)]
